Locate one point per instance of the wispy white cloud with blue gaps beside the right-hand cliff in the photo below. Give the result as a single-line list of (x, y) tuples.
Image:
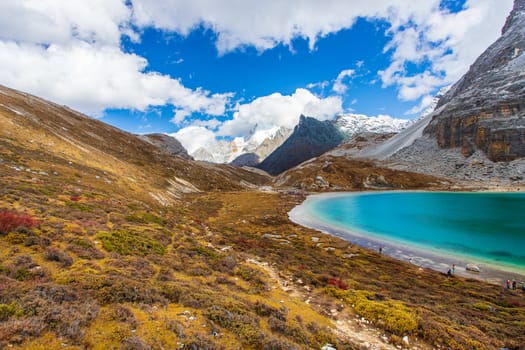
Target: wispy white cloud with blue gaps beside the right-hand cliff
[(447, 42)]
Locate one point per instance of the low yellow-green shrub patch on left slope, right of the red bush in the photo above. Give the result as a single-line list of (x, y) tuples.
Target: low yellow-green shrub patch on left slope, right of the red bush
[(128, 243)]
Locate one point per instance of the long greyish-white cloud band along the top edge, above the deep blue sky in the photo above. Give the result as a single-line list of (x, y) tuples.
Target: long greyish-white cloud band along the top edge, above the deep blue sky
[(265, 24)]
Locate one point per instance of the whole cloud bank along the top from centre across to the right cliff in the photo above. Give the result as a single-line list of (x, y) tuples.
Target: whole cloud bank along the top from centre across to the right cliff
[(421, 31)]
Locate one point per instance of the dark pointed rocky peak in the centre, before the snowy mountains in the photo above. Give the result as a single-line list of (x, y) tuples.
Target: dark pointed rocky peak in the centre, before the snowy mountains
[(310, 139)]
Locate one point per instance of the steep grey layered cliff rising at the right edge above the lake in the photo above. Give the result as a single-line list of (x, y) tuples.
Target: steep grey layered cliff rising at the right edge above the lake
[(486, 108)]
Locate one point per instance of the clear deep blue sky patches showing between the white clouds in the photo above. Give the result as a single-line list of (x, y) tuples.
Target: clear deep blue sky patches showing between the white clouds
[(251, 74)]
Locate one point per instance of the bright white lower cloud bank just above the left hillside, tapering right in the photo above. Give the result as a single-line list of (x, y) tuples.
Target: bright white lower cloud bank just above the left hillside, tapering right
[(93, 79)]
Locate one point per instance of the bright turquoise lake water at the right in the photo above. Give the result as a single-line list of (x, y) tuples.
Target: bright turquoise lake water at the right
[(486, 226)]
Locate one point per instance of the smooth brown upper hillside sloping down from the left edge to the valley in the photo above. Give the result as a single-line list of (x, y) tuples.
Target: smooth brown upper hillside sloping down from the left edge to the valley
[(49, 138)]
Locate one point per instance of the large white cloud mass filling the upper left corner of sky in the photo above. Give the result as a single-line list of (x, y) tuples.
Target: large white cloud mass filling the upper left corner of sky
[(69, 51)]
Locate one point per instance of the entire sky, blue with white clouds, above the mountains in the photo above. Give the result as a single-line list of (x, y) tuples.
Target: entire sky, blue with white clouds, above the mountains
[(203, 69)]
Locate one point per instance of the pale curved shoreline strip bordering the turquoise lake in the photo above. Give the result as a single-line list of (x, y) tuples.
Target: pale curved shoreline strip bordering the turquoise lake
[(415, 255)]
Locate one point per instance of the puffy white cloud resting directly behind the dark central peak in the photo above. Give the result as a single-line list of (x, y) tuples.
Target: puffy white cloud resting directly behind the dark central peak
[(279, 110)]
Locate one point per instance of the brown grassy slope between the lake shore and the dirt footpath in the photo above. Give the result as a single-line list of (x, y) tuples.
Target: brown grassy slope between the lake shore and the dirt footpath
[(452, 312)]
